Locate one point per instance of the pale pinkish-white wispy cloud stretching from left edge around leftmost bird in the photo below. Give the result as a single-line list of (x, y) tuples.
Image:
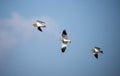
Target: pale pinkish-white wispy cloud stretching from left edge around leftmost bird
[(18, 28)]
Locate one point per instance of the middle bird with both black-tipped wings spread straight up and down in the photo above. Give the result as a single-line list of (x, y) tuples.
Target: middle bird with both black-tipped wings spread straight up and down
[(64, 40)]
